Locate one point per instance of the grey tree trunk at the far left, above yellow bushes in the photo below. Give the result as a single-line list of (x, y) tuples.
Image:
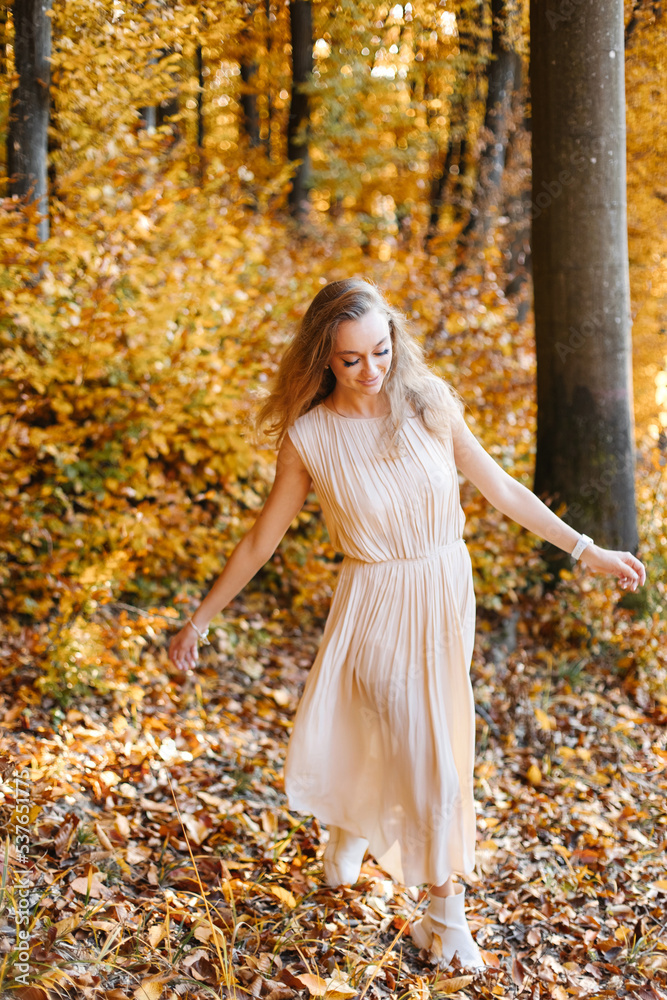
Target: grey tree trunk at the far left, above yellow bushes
[(27, 141)]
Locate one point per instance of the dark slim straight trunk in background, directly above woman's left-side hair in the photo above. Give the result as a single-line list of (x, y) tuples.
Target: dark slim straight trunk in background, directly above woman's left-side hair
[(301, 26)]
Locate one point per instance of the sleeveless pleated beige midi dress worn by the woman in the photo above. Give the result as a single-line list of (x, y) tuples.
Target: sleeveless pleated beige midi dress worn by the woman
[(384, 736)]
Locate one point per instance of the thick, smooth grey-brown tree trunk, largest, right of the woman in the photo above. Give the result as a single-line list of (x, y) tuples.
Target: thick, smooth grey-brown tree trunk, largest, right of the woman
[(585, 423)]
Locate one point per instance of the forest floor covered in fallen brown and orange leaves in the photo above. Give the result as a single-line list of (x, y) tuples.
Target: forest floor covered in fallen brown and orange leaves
[(164, 862)]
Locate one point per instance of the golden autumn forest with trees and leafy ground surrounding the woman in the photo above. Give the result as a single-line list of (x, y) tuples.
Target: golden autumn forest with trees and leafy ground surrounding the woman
[(178, 180)]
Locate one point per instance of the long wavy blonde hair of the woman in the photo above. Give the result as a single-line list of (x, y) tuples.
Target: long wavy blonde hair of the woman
[(303, 379)]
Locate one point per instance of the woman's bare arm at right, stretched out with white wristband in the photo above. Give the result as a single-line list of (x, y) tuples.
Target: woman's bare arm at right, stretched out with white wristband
[(514, 500)]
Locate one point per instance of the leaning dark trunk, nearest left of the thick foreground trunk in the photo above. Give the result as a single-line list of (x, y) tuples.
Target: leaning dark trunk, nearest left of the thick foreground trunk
[(504, 77)]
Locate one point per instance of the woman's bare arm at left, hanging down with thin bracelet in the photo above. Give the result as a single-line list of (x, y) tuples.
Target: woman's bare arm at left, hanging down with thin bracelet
[(290, 488)]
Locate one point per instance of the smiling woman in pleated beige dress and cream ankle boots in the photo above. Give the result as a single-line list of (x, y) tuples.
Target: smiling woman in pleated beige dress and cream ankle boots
[(382, 748)]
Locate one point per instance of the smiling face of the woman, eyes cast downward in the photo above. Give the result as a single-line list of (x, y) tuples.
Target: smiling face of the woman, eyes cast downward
[(362, 354)]
